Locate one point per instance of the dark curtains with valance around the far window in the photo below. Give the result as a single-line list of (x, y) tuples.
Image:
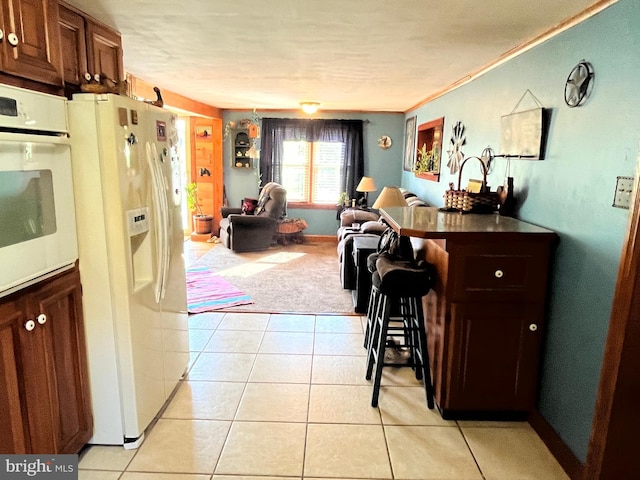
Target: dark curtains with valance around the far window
[(277, 130)]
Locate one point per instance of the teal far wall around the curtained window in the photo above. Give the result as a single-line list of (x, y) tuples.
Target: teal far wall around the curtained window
[(383, 165)]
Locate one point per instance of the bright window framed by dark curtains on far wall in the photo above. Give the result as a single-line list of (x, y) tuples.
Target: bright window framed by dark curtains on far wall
[(311, 171)]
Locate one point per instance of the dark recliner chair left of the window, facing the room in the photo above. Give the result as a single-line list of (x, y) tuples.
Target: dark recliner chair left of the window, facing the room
[(248, 233)]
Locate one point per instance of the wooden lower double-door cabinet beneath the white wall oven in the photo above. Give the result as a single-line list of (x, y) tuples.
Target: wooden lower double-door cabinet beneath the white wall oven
[(43, 369)]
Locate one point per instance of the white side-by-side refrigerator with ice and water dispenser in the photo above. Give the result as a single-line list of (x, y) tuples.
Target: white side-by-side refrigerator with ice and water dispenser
[(127, 188)]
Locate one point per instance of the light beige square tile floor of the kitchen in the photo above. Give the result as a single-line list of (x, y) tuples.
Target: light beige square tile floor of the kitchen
[(271, 397)]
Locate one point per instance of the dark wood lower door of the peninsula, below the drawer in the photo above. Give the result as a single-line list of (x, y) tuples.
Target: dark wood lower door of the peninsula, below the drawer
[(495, 350)]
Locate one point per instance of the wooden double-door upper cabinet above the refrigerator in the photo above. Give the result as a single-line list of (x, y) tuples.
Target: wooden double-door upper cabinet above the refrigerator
[(89, 48)]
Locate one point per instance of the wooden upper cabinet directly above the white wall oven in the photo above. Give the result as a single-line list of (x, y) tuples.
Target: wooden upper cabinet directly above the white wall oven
[(30, 44)]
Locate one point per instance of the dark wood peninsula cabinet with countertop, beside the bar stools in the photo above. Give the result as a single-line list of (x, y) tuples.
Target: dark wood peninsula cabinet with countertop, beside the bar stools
[(485, 314)]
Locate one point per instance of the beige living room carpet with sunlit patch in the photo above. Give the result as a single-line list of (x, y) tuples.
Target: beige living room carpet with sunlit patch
[(297, 278)]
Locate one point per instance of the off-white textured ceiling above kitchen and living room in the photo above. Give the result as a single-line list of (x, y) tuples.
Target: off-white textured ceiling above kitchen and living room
[(358, 55)]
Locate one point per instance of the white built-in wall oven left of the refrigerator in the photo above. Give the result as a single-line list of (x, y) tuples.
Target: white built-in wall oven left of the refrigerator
[(37, 214)]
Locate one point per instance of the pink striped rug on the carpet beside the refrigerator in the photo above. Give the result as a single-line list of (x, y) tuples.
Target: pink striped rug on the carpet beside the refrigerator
[(207, 291)]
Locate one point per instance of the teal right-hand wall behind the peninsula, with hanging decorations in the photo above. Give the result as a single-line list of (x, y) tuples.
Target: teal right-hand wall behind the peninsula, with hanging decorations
[(571, 191)]
